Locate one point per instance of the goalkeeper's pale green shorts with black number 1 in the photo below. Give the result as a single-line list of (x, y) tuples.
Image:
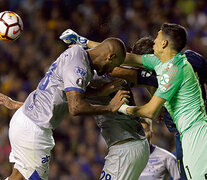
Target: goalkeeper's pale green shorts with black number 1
[(194, 144)]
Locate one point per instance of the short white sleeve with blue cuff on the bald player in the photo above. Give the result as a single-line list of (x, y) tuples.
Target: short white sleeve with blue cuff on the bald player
[(75, 71)]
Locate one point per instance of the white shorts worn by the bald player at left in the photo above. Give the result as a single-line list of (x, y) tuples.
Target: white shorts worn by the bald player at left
[(30, 146)]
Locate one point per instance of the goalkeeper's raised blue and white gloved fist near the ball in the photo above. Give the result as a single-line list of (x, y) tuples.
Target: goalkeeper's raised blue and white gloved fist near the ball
[(71, 37)]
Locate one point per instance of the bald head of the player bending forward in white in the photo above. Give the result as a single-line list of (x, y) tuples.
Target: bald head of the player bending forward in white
[(108, 55)]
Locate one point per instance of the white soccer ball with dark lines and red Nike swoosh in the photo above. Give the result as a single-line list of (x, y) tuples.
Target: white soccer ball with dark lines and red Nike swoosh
[(11, 26)]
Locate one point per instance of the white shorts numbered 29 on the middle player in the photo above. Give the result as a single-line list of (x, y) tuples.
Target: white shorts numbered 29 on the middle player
[(126, 161)]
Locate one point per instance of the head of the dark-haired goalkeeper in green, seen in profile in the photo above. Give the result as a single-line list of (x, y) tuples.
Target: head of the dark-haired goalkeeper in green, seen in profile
[(171, 36)]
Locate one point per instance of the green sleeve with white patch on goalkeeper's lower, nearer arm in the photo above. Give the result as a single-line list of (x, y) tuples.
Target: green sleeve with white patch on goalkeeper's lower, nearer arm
[(169, 83)]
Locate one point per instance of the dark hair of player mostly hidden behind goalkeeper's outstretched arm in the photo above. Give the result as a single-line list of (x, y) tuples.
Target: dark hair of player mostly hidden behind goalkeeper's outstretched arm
[(143, 46)]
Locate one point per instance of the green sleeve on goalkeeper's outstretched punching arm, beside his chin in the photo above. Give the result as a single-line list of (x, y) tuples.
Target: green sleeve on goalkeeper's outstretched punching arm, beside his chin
[(149, 61)]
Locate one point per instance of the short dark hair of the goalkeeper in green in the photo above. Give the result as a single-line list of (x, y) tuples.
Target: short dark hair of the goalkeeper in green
[(177, 35)]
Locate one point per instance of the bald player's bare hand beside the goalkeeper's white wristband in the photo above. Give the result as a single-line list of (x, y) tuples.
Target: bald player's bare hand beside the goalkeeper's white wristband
[(120, 98)]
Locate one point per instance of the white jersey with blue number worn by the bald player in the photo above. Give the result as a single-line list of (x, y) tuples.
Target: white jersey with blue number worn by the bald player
[(71, 71)]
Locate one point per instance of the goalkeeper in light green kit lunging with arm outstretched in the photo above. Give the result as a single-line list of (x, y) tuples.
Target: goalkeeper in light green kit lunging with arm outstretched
[(179, 90)]
